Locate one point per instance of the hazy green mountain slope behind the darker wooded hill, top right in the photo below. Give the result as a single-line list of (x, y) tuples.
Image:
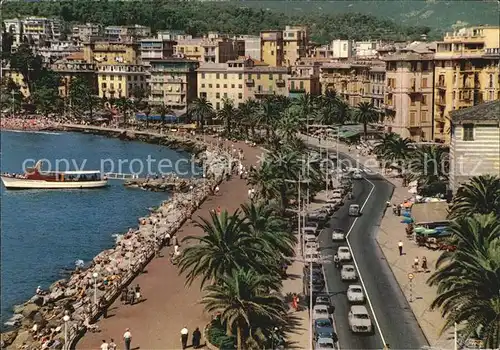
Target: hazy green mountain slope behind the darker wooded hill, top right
[(439, 15)]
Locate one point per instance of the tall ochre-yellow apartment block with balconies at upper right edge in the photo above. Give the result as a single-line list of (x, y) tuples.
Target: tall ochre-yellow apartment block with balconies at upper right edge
[(467, 72)]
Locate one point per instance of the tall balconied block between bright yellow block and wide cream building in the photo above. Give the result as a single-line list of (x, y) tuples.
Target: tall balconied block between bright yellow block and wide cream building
[(173, 82)]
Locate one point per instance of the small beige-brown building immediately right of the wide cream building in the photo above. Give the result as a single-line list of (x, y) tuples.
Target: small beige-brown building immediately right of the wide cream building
[(304, 78)]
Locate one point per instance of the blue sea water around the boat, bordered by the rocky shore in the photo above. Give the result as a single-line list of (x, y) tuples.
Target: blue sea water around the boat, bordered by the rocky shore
[(45, 232)]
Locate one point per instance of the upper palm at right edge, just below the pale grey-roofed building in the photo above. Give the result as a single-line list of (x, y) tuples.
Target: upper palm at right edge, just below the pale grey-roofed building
[(481, 195)]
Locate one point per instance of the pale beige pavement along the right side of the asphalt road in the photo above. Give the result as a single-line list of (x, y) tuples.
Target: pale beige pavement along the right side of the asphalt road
[(391, 231)]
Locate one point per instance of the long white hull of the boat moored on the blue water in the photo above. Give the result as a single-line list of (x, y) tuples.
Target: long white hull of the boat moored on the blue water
[(24, 184)]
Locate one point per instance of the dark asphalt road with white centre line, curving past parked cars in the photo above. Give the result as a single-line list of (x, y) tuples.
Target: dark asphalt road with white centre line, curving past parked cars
[(393, 320)]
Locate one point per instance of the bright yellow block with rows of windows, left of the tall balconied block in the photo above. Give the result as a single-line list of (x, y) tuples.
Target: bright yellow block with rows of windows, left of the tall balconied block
[(117, 80)]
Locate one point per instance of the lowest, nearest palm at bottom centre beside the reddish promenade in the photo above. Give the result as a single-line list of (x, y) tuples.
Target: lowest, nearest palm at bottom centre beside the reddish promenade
[(242, 298)]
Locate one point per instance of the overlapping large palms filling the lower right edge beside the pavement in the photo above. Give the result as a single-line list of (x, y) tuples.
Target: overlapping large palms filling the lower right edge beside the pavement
[(468, 279)]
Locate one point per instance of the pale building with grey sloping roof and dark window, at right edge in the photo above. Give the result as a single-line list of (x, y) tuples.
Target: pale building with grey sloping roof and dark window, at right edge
[(475, 146)]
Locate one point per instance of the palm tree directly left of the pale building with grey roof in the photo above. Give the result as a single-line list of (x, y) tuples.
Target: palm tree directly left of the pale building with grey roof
[(428, 166)]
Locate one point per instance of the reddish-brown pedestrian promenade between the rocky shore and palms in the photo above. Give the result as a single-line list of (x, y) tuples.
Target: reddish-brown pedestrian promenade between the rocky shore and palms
[(168, 305)]
